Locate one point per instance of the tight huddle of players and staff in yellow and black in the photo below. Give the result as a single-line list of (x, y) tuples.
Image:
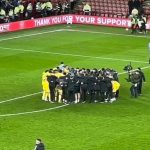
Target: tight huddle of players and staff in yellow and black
[(73, 85)]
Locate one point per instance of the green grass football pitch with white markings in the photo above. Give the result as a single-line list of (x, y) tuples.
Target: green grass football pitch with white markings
[(24, 117)]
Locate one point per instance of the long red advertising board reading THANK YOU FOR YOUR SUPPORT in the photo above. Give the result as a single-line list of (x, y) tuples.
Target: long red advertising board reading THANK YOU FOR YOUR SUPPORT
[(76, 19)]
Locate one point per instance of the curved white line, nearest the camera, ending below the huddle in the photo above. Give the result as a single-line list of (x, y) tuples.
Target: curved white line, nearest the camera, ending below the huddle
[(31, 112)]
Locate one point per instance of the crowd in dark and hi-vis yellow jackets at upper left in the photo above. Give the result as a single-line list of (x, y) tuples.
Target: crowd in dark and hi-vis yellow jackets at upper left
[(15, 10)]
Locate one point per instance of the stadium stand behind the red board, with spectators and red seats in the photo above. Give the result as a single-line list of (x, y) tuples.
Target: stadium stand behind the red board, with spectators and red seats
[(103, 8)]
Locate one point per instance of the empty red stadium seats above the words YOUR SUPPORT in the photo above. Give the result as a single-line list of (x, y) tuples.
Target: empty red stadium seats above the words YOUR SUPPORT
[(113, 8)]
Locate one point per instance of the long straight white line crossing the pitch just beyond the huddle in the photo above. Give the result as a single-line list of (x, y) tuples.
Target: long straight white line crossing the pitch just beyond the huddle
[(73, 55)]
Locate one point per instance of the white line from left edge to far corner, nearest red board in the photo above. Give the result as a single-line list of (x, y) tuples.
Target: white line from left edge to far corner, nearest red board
[(28, 35)]
